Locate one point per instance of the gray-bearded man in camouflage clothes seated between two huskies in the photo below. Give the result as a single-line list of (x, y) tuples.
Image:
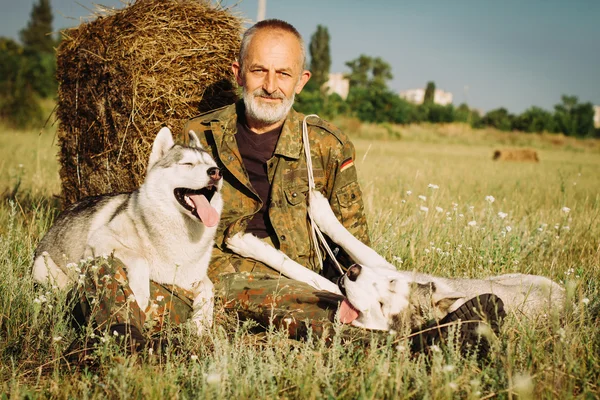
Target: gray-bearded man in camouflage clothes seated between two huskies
[(257, 143)]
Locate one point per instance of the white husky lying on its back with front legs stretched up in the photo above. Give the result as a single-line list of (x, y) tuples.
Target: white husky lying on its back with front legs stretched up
[(385, 298)]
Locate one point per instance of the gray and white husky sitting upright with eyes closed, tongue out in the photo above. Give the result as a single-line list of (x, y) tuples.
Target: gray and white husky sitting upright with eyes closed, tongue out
[(163, 231)]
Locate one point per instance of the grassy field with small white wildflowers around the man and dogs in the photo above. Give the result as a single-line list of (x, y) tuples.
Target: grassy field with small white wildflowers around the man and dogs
[(436, 202)]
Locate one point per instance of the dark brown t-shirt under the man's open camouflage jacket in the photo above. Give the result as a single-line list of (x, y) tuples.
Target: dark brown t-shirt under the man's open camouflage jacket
[(256, 150)]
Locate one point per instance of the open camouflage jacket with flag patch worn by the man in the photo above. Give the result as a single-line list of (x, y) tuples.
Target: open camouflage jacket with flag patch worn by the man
[(334, 173)]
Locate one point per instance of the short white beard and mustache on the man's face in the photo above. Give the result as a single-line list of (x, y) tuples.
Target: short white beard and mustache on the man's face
[(264, 112)]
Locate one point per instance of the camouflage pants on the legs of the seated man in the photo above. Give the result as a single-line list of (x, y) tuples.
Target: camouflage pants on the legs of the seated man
[(105, 299)]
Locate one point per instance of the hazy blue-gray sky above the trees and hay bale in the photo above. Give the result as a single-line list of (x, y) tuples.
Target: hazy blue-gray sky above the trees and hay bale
[(487, 53)]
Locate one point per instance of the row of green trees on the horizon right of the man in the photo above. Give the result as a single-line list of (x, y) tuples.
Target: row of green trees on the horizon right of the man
[(370, 100)]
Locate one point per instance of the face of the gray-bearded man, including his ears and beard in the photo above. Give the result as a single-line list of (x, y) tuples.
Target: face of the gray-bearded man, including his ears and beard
[(271, 75)]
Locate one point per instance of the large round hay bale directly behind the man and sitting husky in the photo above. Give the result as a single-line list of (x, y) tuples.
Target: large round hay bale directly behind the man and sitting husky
[(127, 73)]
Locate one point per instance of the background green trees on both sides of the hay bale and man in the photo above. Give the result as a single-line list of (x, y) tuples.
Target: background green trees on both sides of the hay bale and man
[(28, 69)]
